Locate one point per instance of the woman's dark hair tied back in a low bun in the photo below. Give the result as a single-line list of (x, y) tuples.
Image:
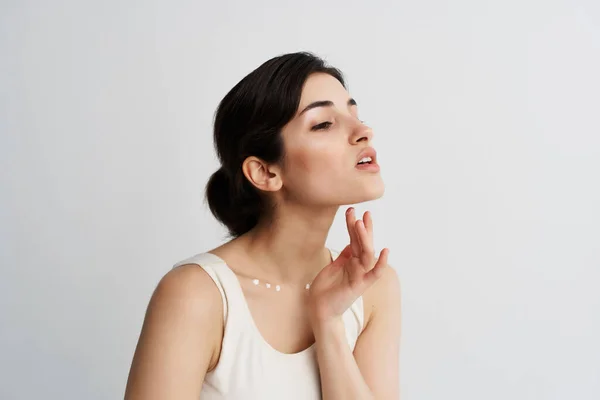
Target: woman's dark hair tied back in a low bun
[(248, 122)]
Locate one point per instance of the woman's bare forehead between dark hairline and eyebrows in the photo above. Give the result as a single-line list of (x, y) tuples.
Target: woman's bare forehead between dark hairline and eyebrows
[(322, 86)]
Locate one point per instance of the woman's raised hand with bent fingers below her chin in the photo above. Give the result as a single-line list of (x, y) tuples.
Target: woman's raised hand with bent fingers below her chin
[(340, 283)]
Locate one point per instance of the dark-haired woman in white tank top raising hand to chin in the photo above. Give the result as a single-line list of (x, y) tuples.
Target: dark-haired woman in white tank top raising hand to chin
[(273, 313)]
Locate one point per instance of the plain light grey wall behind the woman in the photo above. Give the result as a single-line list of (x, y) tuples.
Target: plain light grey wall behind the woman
[(487, 124)]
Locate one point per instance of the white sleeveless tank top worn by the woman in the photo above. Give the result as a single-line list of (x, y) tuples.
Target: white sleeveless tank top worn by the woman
[(248, 367)]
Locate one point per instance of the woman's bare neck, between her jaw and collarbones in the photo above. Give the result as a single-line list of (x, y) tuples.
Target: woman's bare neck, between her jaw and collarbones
[(290, 248)]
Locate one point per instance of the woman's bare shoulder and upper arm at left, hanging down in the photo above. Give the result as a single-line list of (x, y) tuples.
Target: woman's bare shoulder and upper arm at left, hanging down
[(180, 338)]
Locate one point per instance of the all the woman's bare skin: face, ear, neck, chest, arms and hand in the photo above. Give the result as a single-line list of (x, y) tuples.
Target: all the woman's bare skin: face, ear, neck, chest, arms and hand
[(182, 332)]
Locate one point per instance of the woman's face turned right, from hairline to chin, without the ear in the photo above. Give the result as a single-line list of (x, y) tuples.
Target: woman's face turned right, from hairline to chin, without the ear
[(324, 143)]
